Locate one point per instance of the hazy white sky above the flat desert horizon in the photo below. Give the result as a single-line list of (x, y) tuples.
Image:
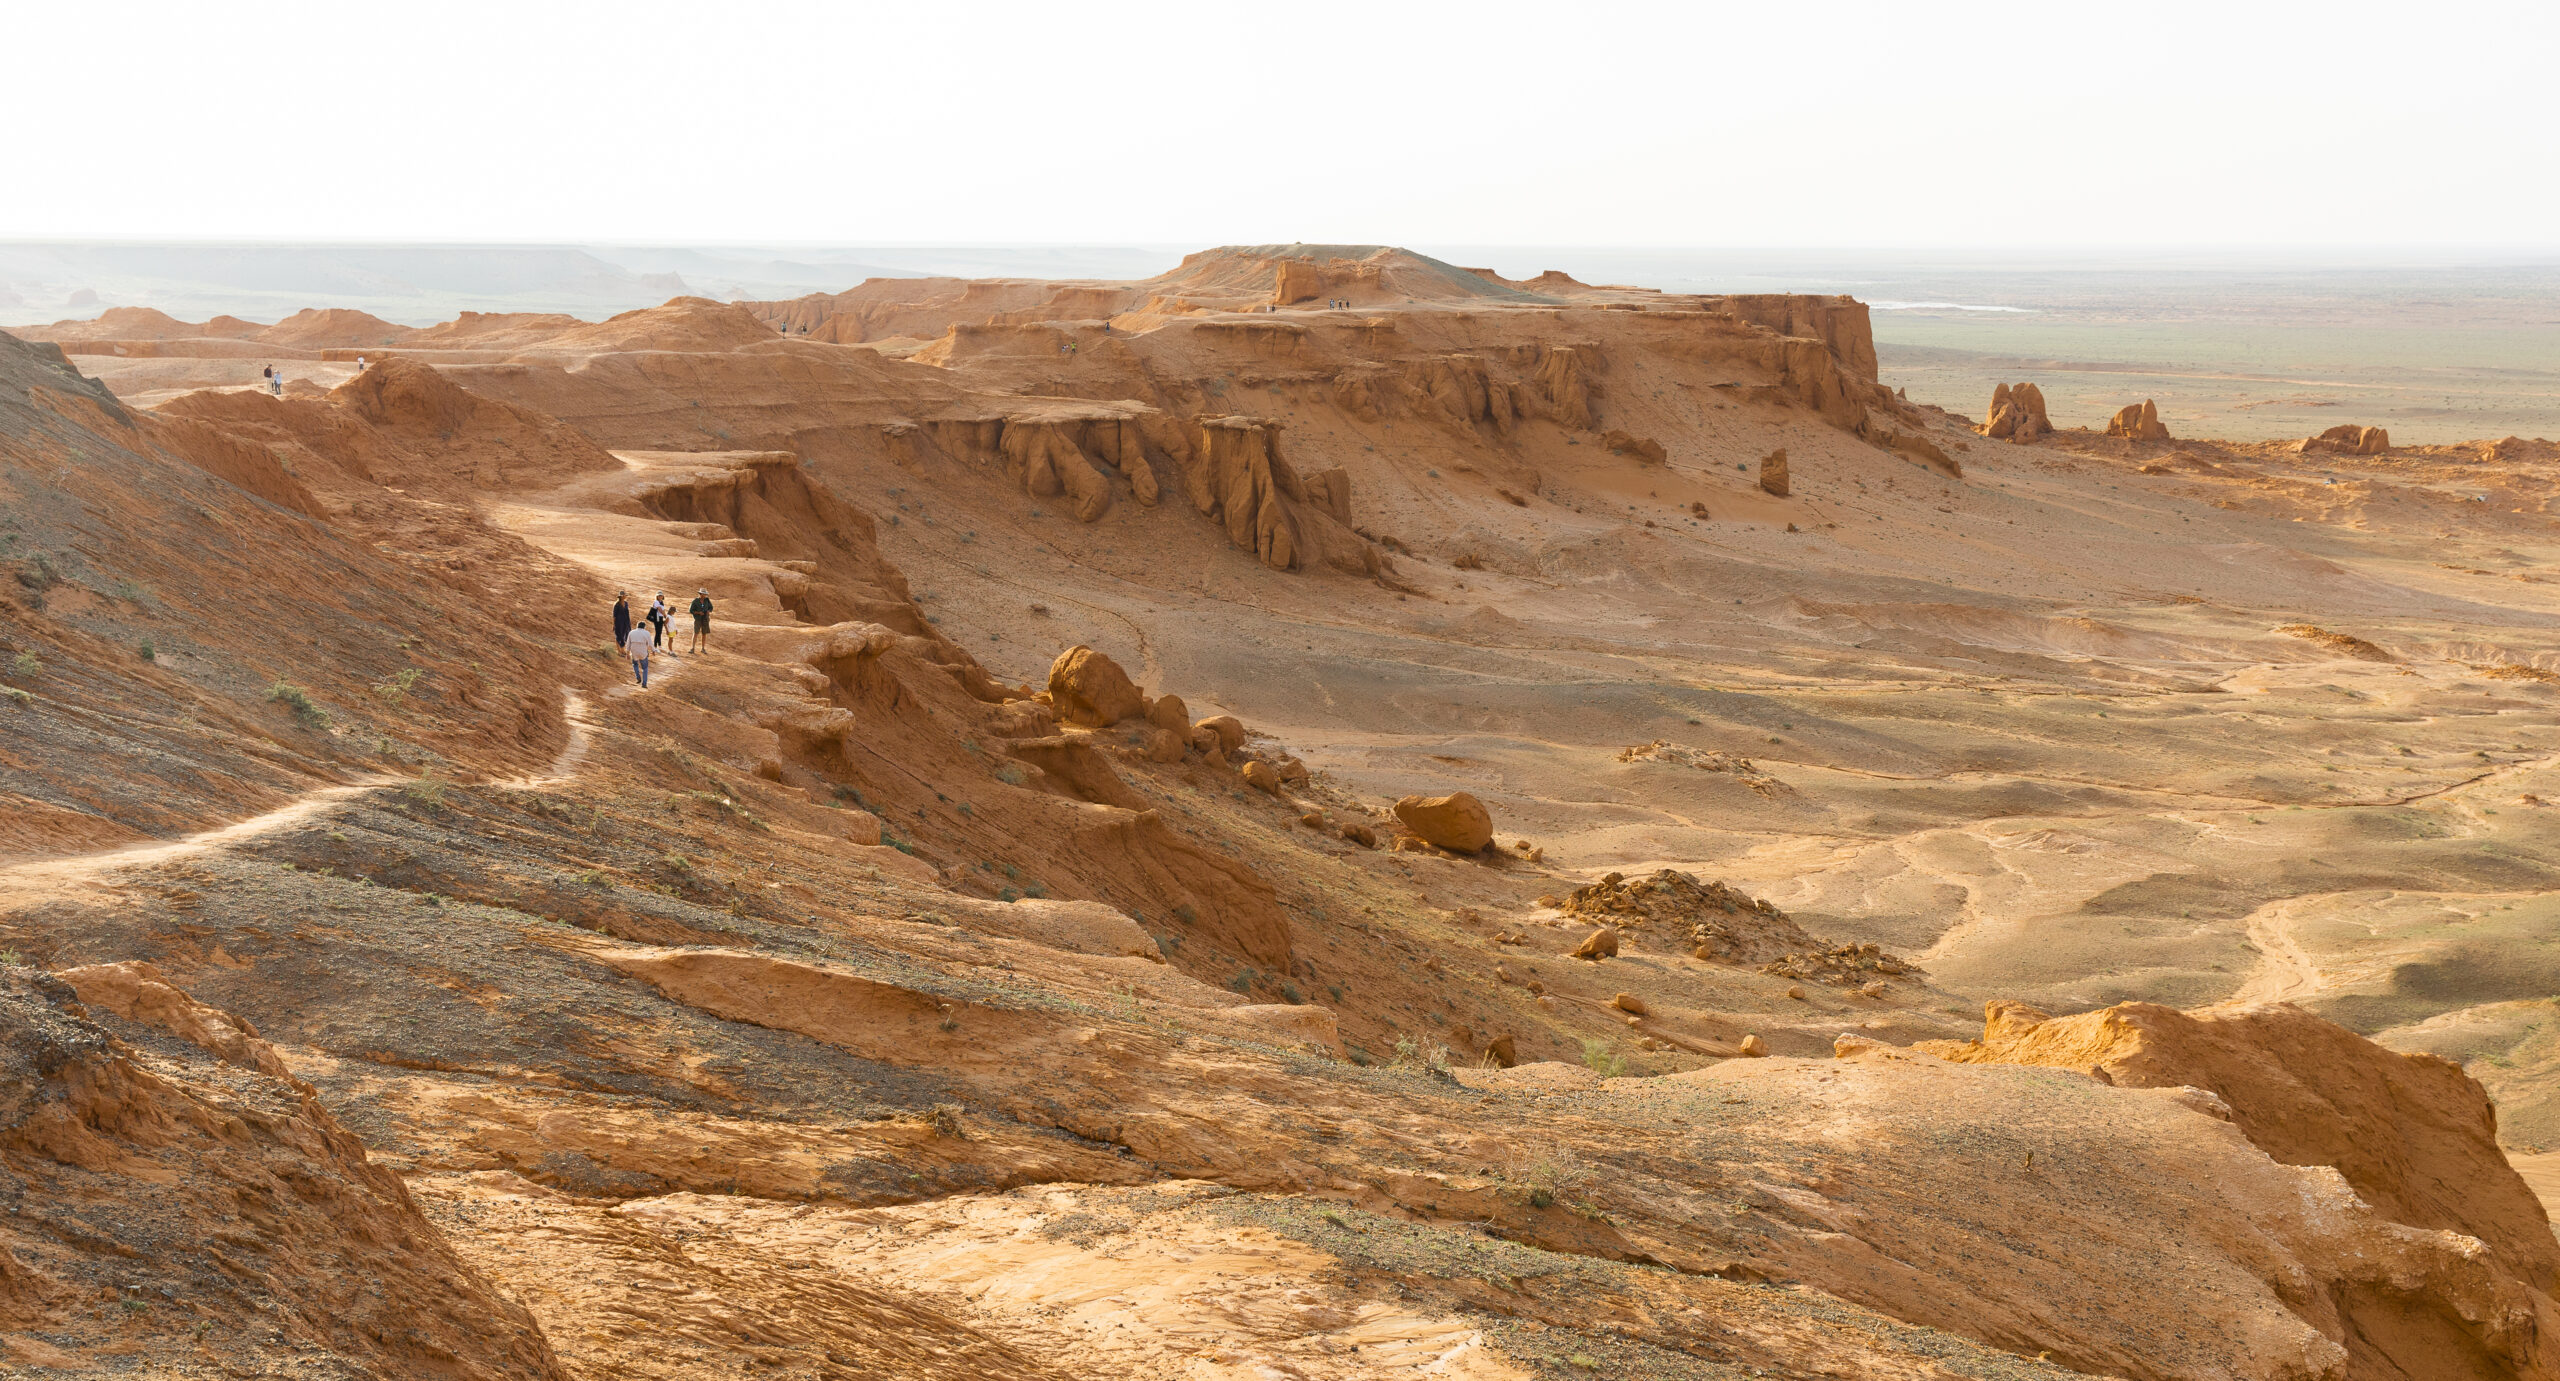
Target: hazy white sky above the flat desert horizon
[(1699, 124)]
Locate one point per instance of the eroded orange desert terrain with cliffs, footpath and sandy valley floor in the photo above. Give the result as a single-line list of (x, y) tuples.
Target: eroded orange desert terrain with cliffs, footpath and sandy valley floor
[(1140, 883)]
